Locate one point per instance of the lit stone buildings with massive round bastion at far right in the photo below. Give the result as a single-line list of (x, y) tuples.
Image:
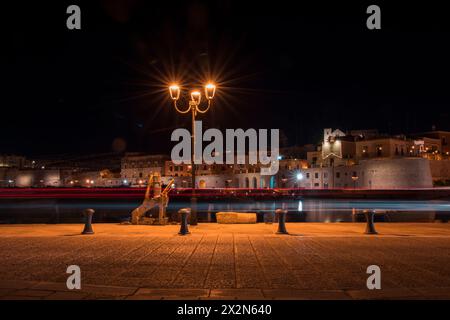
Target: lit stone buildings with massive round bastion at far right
[(366, 159)]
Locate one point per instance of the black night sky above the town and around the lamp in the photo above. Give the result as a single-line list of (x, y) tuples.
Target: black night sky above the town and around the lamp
[(298, 68)]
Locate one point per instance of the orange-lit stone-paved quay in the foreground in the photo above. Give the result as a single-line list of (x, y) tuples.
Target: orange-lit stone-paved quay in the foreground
[(316, 261)]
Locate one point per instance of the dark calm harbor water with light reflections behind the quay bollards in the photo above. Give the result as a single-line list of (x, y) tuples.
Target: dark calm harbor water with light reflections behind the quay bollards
[(305, 210)]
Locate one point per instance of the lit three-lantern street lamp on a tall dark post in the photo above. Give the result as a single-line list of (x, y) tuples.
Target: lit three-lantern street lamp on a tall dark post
[(194, 108)]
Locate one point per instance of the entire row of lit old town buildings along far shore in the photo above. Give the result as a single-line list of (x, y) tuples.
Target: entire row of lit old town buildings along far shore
[(352, 159)]
